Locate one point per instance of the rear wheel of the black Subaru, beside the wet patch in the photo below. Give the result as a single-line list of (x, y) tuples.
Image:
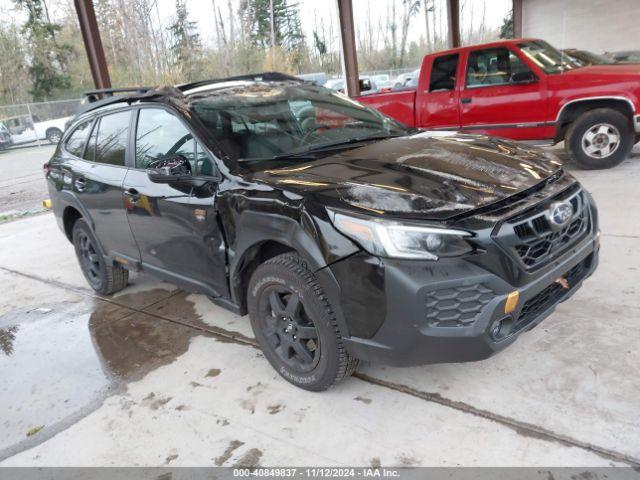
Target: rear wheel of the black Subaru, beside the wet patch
[(104, 278)]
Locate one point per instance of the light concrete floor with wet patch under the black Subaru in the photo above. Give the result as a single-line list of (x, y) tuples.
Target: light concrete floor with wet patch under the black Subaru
[(154, 376)]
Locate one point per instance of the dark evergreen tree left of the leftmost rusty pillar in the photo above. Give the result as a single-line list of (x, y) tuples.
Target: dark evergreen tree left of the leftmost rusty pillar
[(48, 59)]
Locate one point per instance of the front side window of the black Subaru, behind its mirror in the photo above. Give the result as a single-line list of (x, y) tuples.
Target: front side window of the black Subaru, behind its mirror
[(161, 134)]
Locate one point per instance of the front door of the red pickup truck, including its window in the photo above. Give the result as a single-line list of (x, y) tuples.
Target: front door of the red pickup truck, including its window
[(502, 96)]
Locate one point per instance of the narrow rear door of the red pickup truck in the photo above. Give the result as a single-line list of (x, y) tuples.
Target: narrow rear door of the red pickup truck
[(437, 104)]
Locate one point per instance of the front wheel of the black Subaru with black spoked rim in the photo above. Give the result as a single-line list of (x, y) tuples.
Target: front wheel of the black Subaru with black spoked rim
[(295, 325)]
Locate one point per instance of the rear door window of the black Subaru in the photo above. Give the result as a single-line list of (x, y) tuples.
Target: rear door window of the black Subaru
[(111, 140)]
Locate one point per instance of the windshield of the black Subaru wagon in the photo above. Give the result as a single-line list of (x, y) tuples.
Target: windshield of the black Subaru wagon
[(255, 121)]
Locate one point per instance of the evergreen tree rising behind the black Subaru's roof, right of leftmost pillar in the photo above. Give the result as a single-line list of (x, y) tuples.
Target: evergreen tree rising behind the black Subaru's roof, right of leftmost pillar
[(185, 42)]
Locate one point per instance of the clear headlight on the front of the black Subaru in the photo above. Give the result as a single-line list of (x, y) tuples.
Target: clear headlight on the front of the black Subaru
[(398, 240)]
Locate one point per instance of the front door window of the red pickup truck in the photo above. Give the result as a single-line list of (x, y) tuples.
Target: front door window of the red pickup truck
[(492, 66)]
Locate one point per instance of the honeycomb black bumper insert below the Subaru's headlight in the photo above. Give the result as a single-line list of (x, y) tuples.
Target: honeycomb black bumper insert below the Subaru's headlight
[(457, 306)]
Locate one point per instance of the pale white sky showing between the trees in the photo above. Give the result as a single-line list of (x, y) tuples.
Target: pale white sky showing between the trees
[(312, 12)]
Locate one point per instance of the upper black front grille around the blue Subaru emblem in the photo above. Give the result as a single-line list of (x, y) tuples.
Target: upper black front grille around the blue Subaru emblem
[(535, 241)]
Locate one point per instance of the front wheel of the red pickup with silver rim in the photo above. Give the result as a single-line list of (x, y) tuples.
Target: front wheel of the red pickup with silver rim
[(599, 138)]
